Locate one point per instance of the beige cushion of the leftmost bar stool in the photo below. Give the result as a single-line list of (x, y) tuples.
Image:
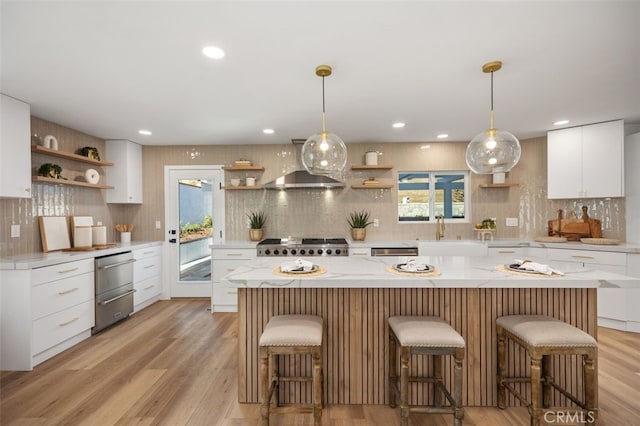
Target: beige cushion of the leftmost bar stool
[(292, 330)]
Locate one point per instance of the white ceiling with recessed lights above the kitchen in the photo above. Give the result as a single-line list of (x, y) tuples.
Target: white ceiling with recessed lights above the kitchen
[(111, 68)]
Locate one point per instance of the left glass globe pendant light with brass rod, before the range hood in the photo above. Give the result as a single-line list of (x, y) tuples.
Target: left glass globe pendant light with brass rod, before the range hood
[(324, 153)]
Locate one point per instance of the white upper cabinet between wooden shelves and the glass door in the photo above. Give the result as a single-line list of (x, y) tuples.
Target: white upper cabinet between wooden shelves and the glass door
[(126, 174)]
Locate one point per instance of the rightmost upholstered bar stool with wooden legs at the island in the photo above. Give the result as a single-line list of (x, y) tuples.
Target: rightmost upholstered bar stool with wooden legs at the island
[(542, 337)]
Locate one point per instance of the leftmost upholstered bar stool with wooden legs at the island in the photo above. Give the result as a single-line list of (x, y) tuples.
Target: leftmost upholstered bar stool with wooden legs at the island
[(290, 335)]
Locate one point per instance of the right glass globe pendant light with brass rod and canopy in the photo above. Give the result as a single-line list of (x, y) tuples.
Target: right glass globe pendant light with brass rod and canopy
[(494, 150)]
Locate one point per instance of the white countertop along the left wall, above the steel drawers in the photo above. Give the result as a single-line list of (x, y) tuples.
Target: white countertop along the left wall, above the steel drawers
[(38, 260)]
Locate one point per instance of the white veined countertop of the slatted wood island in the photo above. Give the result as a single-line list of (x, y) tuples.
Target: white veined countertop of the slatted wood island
[(455, 272)]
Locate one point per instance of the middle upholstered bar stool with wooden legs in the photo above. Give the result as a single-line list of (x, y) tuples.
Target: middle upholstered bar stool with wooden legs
[(430, 336)]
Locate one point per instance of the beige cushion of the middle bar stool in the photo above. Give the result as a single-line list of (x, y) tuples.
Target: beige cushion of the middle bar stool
[(425, 332)]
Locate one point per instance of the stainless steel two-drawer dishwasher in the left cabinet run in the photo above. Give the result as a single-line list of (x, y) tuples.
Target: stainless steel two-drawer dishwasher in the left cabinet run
[(114, 289)]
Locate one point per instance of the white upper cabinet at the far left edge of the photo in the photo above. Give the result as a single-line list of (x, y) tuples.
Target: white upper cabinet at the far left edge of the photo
[(15, 148)]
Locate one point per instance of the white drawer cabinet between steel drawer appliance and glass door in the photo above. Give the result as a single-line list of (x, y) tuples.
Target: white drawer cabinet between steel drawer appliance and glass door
[(147, 277)]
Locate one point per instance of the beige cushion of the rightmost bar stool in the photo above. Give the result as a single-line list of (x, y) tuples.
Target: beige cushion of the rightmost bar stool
[(541, 330)]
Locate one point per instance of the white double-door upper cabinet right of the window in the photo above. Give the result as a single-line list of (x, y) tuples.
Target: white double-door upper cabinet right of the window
[(586, 162)]
